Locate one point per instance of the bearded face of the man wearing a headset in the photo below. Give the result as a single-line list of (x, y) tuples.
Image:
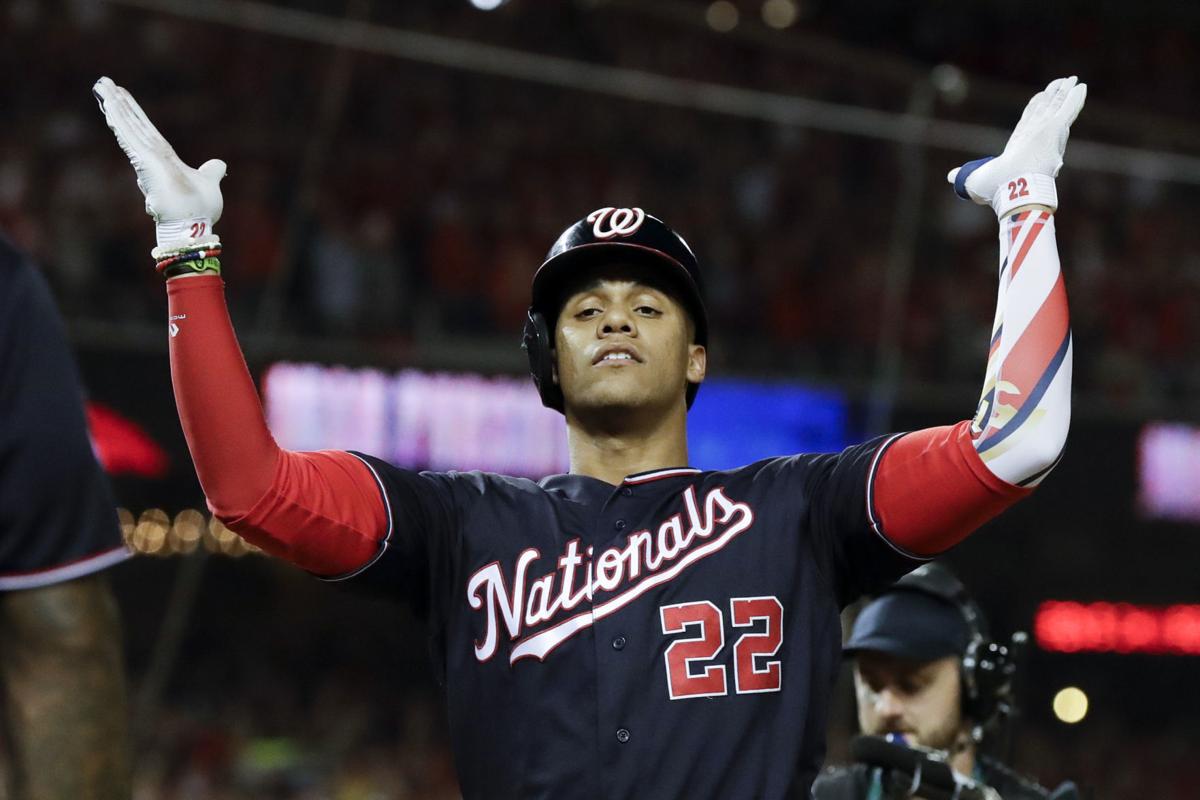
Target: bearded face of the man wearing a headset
[(917, 699)]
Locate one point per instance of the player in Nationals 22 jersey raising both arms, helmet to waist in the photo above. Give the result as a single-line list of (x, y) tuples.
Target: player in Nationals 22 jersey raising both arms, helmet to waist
[(638, 628)]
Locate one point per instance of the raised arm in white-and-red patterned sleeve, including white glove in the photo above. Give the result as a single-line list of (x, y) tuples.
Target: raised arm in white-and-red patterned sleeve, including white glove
[(937, 486)]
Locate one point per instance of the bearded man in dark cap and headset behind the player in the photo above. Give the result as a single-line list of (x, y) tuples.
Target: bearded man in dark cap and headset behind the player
[(928, 670)]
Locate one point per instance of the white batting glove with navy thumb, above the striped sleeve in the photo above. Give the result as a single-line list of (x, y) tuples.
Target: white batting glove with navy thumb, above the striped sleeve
[(1024, 175)]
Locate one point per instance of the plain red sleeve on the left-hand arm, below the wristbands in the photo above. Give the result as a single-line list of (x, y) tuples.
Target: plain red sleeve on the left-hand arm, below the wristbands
[(321, 512)]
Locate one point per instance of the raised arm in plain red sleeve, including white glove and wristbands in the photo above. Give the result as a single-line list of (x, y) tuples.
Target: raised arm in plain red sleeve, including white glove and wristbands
[(320, 510)]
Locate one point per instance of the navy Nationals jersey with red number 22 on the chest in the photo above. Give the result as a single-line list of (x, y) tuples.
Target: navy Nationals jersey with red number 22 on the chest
[(676, 636)]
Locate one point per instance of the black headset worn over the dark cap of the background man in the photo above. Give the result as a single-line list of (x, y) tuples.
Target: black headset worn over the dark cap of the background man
[(988, 667)]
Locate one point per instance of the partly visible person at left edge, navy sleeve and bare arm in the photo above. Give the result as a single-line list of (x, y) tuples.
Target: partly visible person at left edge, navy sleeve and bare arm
[(62, 669)]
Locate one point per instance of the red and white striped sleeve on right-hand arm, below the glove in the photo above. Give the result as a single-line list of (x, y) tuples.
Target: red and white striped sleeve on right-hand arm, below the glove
[(937, 486)]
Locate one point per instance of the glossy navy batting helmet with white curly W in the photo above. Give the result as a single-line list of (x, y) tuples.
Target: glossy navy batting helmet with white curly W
[(607, 237)]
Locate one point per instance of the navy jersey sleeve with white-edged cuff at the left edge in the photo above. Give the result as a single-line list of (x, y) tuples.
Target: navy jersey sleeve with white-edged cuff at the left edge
[(58, 519)]
